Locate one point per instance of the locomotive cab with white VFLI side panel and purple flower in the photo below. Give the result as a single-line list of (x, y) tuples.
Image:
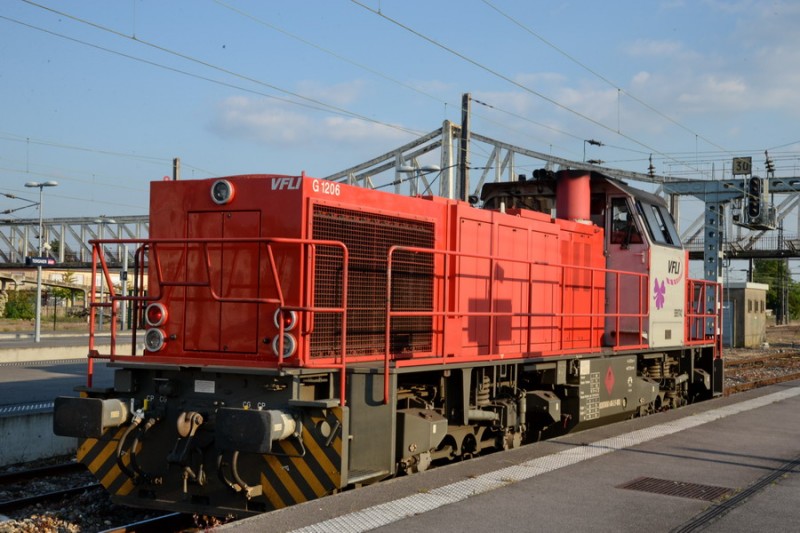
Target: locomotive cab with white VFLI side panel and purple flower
[(644, 307)]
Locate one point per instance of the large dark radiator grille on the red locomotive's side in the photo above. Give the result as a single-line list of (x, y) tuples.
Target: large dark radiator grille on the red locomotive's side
[(368, 238)]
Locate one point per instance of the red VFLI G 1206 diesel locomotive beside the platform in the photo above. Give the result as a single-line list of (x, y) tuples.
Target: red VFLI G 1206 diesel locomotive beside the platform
[(302, 336)]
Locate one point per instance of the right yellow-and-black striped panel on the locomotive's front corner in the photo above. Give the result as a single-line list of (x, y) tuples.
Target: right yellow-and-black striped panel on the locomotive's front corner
[(309, 469)]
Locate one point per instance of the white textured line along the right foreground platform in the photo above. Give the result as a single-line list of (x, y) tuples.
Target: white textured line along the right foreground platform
[(386, 513)]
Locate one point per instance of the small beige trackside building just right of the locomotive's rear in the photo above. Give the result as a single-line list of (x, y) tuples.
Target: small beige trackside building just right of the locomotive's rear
[(746, 318)]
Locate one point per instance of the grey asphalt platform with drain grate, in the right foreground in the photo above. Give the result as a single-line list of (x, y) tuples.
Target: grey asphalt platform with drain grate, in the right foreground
[(726, 465)]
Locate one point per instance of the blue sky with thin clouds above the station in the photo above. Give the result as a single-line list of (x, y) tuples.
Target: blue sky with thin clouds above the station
[(100, 95)]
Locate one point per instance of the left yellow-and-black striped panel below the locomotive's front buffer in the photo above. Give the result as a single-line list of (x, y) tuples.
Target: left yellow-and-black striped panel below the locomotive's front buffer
[(100, 457)]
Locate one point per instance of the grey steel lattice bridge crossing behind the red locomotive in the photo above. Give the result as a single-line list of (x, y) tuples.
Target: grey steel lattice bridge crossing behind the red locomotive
[(406, 170)]
